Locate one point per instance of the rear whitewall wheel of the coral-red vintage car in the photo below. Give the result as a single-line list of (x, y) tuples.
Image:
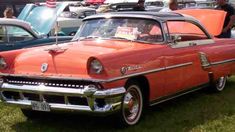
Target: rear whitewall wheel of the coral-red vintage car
[(219, 84)]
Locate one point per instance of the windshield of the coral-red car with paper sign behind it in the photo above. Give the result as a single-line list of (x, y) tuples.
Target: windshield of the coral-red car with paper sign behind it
[(121, 28)]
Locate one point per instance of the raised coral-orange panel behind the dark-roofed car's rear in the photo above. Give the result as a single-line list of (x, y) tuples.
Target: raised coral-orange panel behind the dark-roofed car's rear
[(205, 16)]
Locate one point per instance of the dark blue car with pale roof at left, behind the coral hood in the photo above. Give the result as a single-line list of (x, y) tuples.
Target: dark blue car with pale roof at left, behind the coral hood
[(16, 34)]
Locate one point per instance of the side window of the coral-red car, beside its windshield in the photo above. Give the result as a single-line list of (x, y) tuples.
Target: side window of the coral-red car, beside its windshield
[(185, 31)]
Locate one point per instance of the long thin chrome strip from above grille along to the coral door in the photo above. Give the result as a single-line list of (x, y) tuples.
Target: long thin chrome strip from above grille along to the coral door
[(100, 80)]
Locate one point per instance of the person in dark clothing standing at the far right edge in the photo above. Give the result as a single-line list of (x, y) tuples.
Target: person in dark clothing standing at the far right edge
[(229, 19)]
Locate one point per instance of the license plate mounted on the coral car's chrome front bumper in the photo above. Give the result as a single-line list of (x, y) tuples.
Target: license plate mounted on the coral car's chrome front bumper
[(40, 106)]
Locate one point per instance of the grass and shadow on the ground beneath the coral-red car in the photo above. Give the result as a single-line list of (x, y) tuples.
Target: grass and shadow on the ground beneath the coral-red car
[(196, 112)]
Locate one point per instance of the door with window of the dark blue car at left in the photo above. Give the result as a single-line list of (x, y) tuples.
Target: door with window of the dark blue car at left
[(14, 37)]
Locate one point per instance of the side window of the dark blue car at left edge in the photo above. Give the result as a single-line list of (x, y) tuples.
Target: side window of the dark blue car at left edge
[(16, 34)]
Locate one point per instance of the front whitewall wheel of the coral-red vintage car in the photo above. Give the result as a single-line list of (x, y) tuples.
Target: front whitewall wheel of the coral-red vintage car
[(132, 105)]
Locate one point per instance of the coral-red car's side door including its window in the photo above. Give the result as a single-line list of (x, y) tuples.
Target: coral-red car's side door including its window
[(183, 68)]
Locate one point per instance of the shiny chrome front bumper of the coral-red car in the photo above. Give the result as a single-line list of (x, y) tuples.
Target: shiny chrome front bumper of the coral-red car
[(111, 98)]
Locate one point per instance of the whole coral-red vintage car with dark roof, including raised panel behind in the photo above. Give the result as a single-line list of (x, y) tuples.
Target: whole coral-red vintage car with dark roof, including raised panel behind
[(119, 63)]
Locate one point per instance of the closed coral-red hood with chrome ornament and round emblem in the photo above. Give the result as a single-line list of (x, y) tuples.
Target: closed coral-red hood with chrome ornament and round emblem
[(69, 59)]
